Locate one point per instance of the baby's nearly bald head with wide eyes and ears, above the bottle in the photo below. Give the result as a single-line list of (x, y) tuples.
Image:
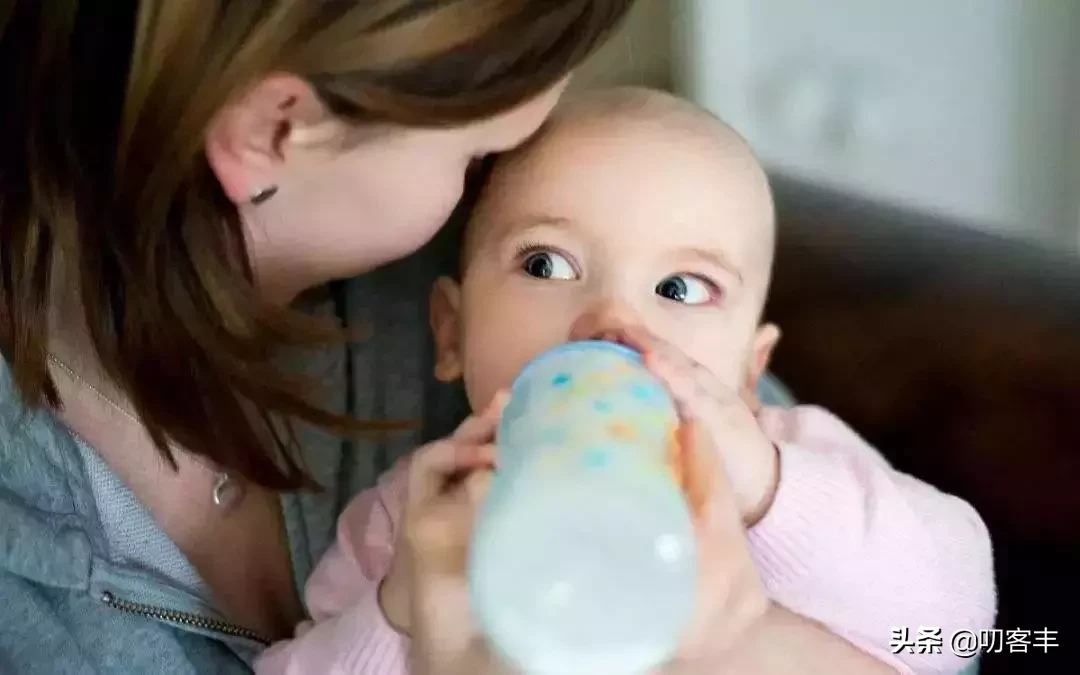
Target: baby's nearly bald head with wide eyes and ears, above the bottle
[(603, 226)]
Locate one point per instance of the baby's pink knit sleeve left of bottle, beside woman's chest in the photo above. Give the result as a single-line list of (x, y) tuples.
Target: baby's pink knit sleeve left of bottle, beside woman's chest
[(348, 634)]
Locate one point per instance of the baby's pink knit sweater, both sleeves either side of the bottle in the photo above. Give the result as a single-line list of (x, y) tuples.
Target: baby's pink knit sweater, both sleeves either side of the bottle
[(849, 543)]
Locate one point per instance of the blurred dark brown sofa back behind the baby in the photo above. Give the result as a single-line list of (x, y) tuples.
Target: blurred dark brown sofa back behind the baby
[(957, 354)]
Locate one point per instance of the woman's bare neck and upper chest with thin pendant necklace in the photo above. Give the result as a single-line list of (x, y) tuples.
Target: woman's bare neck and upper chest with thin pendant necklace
[(252, 579)]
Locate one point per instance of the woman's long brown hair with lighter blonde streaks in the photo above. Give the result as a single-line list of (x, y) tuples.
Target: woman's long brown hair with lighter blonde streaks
[(104, 180)]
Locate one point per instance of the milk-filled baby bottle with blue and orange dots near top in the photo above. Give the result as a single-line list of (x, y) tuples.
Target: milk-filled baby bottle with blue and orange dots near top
[(584, 558)]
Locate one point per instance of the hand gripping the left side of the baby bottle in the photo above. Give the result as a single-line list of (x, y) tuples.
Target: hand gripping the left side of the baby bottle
[(426, 593)]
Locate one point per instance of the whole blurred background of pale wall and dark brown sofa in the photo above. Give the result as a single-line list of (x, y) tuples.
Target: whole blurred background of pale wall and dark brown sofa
[(926, 160)]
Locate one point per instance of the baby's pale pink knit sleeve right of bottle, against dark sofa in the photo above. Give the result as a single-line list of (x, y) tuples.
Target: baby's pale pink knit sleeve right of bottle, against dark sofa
[(866, 550)]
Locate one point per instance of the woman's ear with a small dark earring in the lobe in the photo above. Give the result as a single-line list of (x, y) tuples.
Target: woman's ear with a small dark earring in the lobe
[(249, 140)]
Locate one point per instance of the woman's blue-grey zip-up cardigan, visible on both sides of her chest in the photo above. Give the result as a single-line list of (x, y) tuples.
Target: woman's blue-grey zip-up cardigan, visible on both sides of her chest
[(88, 582)]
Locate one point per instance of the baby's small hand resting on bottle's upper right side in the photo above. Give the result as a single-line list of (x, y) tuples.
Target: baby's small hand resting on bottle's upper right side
[(750, 460)]
